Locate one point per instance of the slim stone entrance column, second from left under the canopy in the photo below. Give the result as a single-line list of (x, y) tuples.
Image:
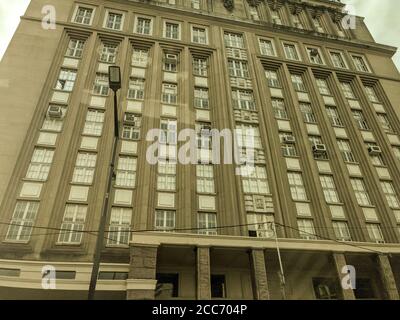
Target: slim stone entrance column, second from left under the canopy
[(203, 277)]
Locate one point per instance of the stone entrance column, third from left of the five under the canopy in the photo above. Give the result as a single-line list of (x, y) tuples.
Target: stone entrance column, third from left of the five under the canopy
[(259, 275)]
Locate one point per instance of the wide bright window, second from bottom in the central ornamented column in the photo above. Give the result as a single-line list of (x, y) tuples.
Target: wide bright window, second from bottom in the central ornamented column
[(254, 180)]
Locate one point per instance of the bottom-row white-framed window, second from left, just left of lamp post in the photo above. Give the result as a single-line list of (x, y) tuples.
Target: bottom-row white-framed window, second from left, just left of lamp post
[(73, 224)]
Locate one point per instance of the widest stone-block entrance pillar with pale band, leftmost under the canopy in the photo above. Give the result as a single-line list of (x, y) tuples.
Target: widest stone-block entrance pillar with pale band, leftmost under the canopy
[(142, 282)]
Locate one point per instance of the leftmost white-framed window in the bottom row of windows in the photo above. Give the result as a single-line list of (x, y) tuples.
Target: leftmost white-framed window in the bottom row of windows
[(22, 221)]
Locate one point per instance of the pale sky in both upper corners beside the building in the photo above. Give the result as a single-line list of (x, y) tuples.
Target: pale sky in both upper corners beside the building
[(381, 18)]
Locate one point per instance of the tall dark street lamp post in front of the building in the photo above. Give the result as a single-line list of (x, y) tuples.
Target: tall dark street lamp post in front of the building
[(114, 73)]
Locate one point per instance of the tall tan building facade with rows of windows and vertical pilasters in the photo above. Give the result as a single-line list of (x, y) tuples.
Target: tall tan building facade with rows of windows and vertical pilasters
[(318, 101)]
